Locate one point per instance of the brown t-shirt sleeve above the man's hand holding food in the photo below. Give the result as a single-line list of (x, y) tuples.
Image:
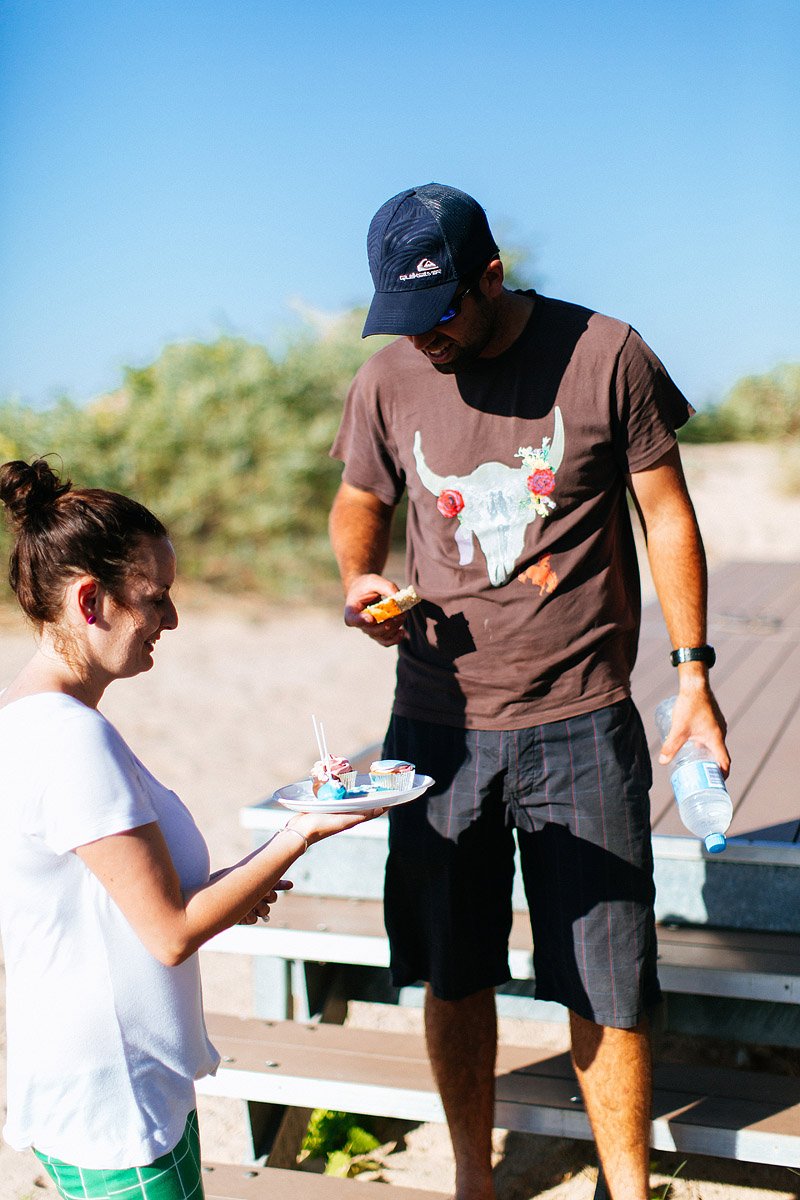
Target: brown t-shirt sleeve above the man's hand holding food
[(365, 445)]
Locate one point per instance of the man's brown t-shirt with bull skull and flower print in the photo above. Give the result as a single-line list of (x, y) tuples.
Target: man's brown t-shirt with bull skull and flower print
[(520, 539)]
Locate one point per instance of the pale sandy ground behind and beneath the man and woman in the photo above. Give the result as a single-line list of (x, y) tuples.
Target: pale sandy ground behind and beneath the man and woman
[(225, 718)]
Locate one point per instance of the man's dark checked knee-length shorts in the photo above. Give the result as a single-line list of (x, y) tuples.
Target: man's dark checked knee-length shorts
[(578, 794)]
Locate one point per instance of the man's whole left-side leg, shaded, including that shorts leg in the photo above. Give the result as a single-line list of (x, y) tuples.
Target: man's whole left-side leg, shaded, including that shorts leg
[(449, 931)]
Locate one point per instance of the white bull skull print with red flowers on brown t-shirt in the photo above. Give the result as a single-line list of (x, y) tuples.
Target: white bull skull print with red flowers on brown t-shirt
[(496, 503)]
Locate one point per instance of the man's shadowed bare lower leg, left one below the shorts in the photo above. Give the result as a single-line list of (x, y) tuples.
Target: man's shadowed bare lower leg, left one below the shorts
[(462, 1043)]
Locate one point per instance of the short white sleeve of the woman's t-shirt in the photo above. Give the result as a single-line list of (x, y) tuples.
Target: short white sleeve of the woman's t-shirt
[(94, 788)]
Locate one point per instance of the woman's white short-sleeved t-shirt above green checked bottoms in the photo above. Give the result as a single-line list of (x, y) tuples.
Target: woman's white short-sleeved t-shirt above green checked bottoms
[(105, 1042)]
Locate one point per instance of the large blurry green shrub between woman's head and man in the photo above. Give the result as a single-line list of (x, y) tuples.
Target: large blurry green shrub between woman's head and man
[(226, 443)]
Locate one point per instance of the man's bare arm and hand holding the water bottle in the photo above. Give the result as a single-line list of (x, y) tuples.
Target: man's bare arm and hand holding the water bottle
[(678, 565)]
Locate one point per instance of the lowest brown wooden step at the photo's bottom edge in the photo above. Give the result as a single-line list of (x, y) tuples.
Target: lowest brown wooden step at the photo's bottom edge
[(225, 1181)]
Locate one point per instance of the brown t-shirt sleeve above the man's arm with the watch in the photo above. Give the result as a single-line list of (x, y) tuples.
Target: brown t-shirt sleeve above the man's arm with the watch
[(649, 407)]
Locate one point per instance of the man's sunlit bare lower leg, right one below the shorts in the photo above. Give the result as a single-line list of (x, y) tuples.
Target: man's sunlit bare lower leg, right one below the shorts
[(616, 1077)]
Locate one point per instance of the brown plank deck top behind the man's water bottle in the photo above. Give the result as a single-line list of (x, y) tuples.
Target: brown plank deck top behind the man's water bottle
[(755, 627)]
